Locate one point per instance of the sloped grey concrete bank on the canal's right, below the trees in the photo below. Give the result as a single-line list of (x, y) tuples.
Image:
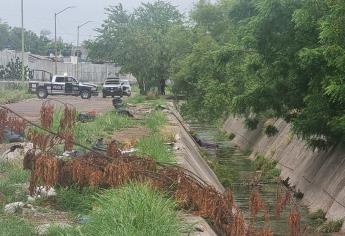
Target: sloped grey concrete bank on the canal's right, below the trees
[(319, 175)]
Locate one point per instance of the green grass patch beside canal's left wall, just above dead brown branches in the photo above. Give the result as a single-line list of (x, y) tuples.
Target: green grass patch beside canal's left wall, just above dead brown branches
[(153, 146)]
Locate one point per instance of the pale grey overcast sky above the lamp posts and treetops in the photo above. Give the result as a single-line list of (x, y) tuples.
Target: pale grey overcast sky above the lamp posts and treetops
[(39, 14)]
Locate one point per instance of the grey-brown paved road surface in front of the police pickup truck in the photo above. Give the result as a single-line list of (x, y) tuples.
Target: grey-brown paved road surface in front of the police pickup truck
[(30, 108)]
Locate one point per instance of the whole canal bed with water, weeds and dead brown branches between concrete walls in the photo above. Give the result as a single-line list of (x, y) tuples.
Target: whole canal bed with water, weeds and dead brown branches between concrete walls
[(247, 178)]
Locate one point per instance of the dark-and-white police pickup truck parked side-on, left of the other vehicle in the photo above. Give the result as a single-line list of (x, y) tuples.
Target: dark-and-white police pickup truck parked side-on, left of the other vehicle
[(63, 85)]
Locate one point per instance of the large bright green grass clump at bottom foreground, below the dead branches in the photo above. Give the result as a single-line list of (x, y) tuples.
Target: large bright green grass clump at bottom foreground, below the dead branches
[(133, 210)]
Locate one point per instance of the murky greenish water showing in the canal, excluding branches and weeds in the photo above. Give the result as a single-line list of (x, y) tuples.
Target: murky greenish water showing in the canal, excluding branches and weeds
[(234, 169)]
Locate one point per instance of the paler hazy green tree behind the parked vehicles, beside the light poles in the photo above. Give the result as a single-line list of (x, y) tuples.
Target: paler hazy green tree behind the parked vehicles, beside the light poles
[(139, 42)]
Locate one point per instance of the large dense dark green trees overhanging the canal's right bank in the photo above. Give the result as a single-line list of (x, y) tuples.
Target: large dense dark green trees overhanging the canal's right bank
[(276, 58)]
